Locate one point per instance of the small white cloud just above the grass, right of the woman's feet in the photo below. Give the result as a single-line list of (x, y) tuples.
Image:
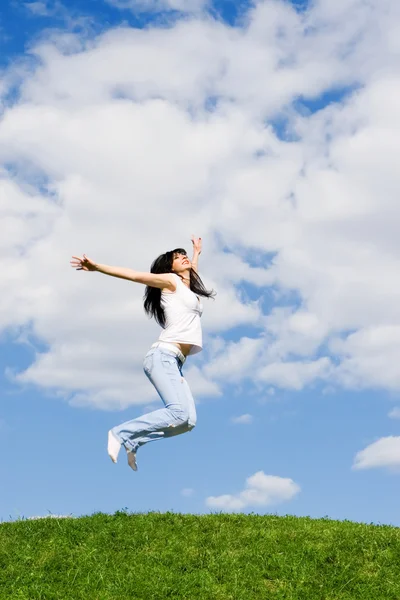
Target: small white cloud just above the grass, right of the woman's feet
[(260, 490)]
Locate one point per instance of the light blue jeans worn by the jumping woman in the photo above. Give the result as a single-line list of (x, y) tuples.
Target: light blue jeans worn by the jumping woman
[(164, 369)]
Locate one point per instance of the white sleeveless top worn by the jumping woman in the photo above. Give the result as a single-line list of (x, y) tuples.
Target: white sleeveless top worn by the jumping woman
[(183, 310)]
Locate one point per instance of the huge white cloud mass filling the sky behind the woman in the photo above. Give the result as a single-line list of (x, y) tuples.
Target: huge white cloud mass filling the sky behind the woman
[(123, 145)]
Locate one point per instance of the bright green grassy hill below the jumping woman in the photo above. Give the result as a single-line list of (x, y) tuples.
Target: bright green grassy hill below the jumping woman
[(210, 557)]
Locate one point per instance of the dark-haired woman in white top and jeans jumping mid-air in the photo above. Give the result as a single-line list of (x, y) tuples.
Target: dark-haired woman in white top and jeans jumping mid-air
[(172, 295)]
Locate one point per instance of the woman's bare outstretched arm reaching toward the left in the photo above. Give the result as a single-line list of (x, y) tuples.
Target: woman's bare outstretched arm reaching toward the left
[(159, 280)]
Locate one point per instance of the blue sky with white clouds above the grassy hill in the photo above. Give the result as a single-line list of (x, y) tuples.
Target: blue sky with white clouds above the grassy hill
[(271, 129)]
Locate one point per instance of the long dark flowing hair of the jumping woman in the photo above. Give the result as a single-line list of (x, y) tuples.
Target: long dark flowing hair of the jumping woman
[(152, 296)]
